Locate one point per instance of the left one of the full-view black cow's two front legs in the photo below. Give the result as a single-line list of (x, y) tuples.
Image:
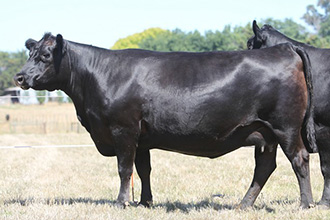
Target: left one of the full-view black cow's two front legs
[(125, 158)]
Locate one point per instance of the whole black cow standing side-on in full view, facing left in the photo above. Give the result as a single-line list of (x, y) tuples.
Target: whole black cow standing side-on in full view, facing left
[(203, 104)]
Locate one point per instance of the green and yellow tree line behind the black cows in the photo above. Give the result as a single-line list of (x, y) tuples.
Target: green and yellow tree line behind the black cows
[(230, 38)]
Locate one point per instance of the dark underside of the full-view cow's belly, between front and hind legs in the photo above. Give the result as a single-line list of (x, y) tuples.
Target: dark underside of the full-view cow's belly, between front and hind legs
[(205, 145)]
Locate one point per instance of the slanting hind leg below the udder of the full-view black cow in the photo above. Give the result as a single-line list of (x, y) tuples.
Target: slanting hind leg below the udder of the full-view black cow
[(265, 160)]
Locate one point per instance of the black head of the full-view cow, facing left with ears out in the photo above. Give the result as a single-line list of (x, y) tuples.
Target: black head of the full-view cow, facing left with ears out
[(42, 69)]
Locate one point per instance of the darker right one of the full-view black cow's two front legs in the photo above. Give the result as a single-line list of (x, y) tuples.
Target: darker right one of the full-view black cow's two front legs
[(143, 167)]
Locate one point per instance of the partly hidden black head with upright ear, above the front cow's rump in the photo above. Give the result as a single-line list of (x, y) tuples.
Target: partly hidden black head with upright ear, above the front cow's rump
[(267, 36)]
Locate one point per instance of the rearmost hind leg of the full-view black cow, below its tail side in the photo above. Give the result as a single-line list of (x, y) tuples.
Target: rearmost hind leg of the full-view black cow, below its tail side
[(298, 156)]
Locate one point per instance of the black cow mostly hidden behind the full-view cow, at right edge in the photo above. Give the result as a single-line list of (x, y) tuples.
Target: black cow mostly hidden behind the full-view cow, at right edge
[(267, 36)]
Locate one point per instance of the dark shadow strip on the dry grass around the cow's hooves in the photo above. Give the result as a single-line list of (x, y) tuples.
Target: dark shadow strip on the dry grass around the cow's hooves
[(169, 206)]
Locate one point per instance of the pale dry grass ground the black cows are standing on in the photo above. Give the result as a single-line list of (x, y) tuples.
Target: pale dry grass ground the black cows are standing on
[(79, 183)]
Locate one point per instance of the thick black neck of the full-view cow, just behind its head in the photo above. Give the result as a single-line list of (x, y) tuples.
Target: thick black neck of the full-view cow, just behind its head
[(84, 65)]
